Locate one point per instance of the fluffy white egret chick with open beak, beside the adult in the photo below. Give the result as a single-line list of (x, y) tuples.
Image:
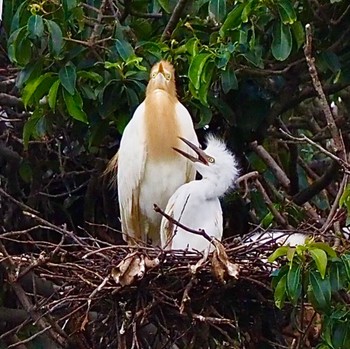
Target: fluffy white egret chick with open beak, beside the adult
[(196, 204)]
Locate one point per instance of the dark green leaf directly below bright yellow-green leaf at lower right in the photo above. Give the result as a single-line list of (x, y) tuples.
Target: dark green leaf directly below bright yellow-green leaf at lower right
[(321, 291)]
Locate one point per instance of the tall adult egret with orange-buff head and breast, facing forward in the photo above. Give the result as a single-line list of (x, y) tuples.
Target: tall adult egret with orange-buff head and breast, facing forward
[(149, 171)]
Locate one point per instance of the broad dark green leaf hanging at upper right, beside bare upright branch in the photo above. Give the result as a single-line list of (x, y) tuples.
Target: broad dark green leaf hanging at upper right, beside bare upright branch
[(282, 41)]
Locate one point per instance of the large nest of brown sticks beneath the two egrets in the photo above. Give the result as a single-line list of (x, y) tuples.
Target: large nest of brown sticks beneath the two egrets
[(107, 296)]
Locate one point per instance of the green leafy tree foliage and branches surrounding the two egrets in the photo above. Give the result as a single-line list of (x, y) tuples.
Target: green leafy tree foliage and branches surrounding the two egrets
[(82, 69)]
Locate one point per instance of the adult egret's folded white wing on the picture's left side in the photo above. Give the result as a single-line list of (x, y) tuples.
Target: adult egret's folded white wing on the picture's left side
[(131, 163)]
